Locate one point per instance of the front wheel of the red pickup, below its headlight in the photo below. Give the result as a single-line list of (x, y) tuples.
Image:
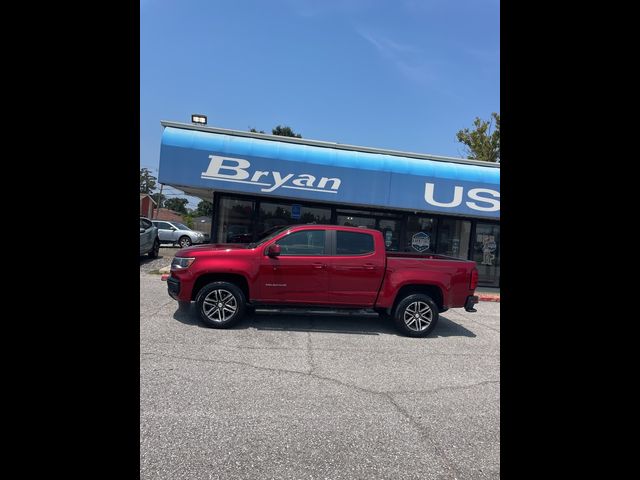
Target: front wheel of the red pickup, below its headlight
[(221, 304)]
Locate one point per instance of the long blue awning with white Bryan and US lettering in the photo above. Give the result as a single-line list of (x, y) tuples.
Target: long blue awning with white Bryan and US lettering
[(227, 162)]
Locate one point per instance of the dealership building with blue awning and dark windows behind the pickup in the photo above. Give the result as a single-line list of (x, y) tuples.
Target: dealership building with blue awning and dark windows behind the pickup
[(421, 203)]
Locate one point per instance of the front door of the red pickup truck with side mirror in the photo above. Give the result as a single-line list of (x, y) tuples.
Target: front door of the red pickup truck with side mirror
[(299, 274)]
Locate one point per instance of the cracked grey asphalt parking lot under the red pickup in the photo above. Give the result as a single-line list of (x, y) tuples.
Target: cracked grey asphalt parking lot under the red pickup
[(293, 396)]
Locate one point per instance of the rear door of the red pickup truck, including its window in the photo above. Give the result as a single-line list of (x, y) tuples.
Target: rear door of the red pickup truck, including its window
[(356, 268)]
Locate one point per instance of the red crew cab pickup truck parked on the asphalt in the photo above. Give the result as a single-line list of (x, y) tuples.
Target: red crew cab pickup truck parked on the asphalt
[(321, 266)]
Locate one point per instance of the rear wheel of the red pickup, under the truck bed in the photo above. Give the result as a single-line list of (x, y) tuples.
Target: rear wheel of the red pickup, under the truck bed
[(416, 315)]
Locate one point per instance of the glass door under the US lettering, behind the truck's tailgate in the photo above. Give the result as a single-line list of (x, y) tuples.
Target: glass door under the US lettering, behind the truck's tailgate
[(486, 253)]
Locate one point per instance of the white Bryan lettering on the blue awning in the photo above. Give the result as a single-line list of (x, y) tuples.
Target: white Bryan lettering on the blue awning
[(238, 170)]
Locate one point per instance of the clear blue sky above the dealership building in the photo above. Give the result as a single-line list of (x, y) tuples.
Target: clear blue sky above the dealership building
[(403, 74)]
